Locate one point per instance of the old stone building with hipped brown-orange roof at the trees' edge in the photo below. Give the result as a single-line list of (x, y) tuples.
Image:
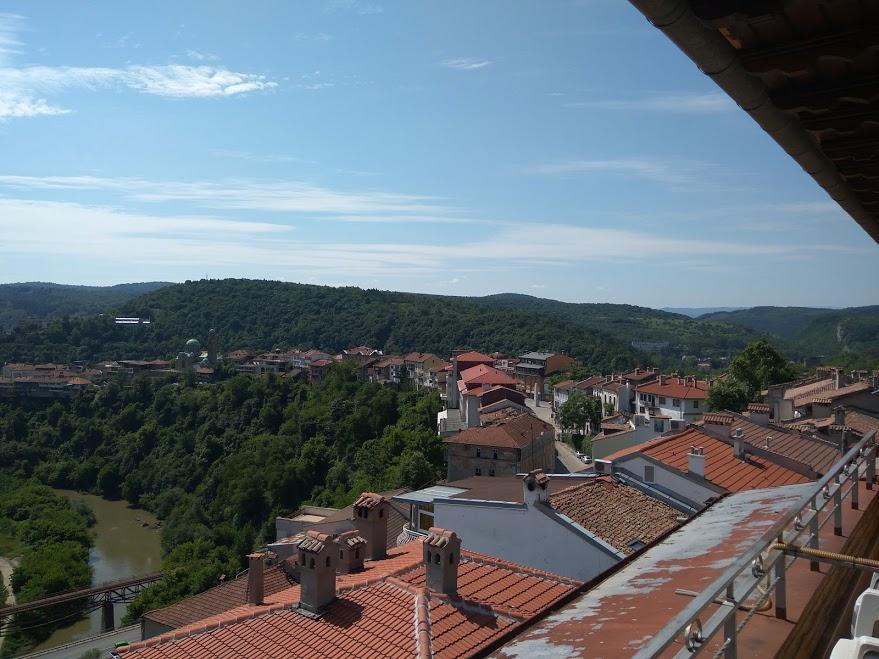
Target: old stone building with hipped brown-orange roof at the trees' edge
[(511, 444)]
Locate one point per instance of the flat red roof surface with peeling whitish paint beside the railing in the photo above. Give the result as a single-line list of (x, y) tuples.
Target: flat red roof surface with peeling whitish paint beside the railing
[(621, 614)]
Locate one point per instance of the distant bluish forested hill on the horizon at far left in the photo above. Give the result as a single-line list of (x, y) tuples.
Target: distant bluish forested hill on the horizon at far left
[(42, 301)]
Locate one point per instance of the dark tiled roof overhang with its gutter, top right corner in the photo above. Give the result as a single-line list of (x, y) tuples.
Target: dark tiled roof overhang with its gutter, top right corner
[(806, 72)]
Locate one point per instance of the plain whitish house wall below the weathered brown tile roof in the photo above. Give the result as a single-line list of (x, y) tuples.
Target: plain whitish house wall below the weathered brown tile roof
[(523, 535)]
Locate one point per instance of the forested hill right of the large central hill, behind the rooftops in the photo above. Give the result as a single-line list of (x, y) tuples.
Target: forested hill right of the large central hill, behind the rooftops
[(632, 323)]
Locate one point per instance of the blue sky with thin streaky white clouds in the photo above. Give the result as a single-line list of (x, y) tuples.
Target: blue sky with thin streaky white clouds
[(563, 149)]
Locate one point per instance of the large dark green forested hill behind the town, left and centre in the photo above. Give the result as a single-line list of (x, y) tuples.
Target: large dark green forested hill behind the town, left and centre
[(267, 314)]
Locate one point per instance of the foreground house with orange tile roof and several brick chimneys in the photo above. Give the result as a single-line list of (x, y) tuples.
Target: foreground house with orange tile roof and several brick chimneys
[(344, 600)]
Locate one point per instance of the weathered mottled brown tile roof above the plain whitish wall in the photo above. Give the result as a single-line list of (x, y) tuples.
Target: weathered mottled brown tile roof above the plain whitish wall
[(615, 512)]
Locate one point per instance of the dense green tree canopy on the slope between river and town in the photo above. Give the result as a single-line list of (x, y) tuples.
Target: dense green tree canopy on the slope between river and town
[(218, 462)]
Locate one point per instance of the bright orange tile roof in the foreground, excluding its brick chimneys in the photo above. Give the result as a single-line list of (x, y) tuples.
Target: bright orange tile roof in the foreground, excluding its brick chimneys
[(384, 611)]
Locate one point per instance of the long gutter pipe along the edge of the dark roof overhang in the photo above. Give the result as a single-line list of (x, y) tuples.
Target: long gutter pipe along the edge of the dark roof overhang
[(717, 59)]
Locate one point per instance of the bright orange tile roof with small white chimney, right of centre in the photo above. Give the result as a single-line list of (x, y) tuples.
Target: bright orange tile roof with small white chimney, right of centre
[(721, 466)]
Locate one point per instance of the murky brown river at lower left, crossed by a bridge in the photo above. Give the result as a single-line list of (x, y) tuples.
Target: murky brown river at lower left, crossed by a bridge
[(124, 547)]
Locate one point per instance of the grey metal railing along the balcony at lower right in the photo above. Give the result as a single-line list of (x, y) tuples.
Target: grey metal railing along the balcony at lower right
[(766, 561)]
